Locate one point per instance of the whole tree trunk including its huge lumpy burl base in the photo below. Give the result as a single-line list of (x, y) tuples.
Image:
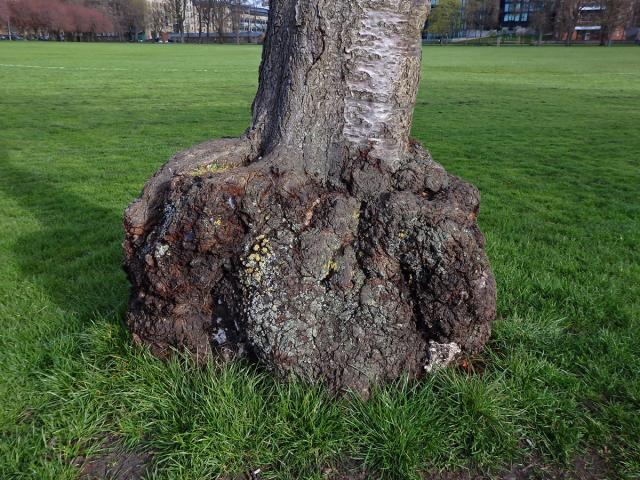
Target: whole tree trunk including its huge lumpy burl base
[(324, 242)]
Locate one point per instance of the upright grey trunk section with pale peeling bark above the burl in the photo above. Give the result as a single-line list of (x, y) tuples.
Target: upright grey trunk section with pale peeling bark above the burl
[(339, 77)]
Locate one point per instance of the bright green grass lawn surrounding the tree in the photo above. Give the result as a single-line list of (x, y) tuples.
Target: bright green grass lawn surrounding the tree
[(549, 135)]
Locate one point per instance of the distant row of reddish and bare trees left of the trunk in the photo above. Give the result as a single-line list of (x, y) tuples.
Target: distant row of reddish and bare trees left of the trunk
[(125, 19)]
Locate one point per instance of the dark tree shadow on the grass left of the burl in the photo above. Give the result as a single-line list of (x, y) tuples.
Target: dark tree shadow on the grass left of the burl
[(75, 254)]
